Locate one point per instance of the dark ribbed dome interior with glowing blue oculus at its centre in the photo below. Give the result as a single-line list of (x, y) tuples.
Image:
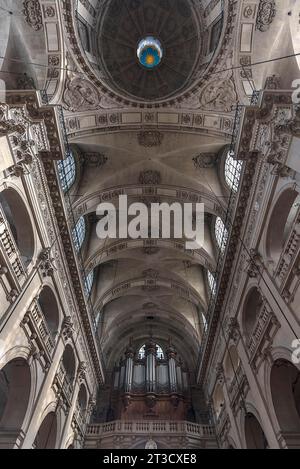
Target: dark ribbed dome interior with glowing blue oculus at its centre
[(149, 50)]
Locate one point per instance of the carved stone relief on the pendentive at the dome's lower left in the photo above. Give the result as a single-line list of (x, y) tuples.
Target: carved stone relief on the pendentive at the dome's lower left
[(81, 95)]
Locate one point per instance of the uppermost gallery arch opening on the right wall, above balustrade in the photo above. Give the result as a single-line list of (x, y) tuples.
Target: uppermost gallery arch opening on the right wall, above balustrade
[(281, 222)]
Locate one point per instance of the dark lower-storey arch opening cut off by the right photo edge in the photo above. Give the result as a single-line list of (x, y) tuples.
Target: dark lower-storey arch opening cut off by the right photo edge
[(285, 392)]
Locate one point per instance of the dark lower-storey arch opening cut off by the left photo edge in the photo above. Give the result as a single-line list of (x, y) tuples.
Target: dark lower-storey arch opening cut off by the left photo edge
[(15, 388)]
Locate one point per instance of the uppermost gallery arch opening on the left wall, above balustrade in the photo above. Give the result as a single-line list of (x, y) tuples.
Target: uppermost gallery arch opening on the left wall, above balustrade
[(19, 222)]
